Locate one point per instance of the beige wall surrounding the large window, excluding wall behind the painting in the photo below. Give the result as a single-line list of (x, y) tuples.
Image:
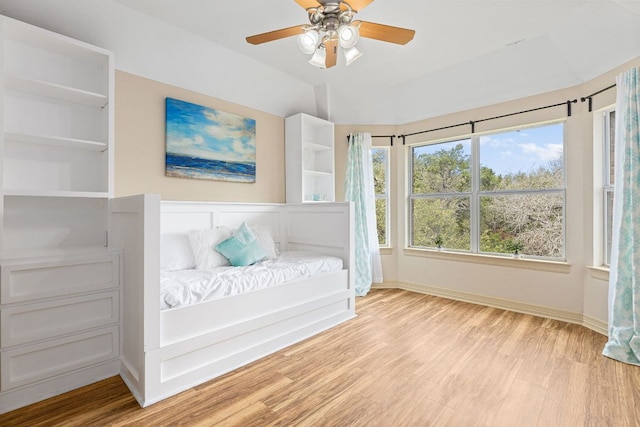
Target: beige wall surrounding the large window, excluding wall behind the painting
[(572, 288)]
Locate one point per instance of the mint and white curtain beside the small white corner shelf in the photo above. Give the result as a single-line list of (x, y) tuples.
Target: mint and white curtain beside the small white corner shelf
[(359, 188)]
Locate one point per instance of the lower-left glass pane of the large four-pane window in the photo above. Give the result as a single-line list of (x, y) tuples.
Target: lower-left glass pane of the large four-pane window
[(447, 217)]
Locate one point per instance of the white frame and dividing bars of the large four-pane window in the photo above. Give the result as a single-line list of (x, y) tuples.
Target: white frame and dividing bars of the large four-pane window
[(475, 194)]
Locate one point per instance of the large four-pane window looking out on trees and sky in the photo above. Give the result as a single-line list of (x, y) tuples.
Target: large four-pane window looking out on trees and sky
[(491, 193)]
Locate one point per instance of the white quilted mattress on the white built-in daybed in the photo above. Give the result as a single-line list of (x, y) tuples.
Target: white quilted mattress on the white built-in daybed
[(185, 287)]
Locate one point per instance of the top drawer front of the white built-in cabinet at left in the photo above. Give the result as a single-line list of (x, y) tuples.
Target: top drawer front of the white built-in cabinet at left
[(30, 281)]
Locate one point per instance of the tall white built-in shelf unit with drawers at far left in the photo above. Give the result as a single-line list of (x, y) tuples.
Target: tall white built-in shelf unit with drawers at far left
[(59, 279)]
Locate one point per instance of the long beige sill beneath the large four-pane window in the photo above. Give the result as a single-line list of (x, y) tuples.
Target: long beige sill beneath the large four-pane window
[(525, 263)]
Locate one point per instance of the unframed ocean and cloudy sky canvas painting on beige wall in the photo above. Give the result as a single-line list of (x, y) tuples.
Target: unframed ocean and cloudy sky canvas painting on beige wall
[(204, 143)]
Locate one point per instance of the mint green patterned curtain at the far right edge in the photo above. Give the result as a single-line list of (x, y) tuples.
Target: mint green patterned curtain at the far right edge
[(624, 275)]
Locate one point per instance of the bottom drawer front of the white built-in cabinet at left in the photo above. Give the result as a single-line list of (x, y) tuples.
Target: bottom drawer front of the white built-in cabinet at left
[(41, 361)]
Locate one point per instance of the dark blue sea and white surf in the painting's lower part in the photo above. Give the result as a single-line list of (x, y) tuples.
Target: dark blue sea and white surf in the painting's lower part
[(194, 167)]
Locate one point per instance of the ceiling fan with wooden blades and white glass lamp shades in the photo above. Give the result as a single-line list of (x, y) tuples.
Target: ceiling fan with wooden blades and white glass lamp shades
[(332, 24)]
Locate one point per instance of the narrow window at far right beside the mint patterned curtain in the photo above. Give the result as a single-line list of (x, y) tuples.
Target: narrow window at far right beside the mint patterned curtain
[(609, 128)]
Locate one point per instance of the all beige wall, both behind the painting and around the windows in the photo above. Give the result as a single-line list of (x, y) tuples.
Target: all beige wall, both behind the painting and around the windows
[(139, 168)]
